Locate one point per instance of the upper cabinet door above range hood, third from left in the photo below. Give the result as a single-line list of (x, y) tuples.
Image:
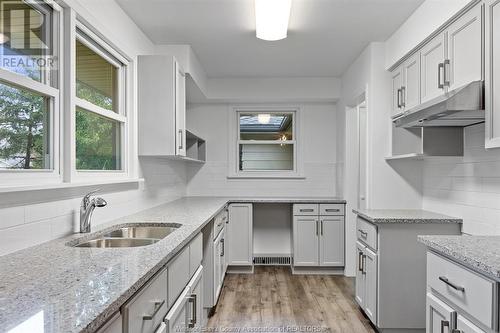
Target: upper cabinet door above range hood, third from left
[(432, 68)]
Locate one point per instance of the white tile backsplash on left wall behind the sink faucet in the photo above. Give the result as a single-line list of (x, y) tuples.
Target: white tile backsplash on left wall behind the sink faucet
[(25, 226)]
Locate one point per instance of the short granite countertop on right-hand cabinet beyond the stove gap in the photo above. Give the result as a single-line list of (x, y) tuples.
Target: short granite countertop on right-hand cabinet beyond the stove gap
[(384, 216)]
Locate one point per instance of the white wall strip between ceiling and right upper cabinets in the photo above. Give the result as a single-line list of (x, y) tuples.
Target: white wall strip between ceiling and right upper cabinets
[(423, 22)]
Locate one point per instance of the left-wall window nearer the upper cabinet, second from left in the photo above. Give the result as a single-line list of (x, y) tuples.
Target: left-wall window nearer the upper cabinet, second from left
[(100, 114)]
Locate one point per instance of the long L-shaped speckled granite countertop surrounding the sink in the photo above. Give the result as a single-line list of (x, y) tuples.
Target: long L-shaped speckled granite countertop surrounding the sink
[(57, 288)]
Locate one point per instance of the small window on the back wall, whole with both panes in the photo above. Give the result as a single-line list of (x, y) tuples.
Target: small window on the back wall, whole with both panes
[(266, 143)]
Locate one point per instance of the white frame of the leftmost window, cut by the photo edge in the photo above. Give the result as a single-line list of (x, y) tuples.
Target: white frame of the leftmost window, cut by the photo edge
[(52, 90)]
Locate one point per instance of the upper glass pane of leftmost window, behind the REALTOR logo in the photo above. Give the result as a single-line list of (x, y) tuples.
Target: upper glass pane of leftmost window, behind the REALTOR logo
[(25, 39)]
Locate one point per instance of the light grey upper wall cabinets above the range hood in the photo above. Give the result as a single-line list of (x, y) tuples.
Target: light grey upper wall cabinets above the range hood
[(450, 60)]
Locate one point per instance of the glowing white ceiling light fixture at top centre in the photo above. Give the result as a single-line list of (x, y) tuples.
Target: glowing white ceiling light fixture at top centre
[(271, 18)]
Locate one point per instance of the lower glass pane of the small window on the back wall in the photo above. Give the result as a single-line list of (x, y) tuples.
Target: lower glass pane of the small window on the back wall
[(266, 157)]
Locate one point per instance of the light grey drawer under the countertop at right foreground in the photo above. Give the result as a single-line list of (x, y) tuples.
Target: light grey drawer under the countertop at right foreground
[(473, 293)]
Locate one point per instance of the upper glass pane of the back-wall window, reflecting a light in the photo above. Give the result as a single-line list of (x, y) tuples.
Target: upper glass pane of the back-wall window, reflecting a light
[(266, 126)]
